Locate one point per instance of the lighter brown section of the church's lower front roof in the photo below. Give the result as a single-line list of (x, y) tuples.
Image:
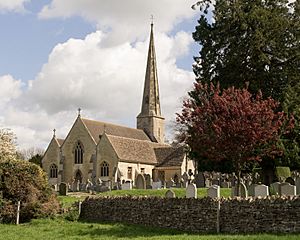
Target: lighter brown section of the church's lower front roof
[(133, 150)]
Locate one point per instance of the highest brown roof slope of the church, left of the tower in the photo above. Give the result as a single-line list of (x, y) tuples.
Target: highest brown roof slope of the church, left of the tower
[(97, 129)]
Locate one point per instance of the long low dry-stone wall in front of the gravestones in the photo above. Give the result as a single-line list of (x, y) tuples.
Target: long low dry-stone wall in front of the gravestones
[(252, 215)]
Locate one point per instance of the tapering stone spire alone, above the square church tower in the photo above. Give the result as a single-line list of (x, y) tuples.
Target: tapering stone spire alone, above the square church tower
[(151, 103)]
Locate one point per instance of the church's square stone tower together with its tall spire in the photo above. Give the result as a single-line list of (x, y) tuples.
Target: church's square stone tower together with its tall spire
[(150, 119)]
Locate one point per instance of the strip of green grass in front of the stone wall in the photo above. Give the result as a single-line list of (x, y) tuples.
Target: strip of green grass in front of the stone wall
[(62, 229)]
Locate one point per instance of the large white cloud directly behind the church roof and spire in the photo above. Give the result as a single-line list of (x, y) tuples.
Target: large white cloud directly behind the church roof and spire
[(105, 81)]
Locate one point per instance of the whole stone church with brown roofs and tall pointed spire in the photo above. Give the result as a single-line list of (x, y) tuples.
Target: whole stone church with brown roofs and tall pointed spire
[(95, 150)]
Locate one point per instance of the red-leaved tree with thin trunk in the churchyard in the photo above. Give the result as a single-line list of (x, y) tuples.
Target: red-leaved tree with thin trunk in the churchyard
[(230, 125)]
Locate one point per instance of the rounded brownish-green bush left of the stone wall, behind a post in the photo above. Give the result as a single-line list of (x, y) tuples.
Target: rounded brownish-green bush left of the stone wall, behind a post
[(26, 182)]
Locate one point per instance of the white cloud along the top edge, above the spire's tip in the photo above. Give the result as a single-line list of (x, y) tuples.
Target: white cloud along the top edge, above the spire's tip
[(125, 20)]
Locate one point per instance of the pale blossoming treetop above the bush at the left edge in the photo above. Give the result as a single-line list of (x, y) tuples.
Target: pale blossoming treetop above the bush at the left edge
[(7, 144)]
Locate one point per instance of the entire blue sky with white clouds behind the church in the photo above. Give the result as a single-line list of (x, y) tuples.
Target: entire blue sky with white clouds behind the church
[(60, 55)]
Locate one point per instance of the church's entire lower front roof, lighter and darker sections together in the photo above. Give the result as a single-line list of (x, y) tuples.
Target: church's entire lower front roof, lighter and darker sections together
[(133, 150)]
